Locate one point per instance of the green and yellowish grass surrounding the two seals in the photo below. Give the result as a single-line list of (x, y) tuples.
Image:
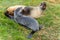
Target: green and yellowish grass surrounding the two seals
[(9, 30)]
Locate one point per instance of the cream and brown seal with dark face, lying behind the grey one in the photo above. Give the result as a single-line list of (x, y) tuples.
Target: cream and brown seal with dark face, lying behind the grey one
[(34, 12)]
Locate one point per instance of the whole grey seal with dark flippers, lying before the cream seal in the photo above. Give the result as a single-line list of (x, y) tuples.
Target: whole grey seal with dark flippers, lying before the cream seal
[(26, 21)]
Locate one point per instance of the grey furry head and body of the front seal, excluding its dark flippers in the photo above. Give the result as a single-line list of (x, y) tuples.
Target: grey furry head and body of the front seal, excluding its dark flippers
[(26, 20)]
